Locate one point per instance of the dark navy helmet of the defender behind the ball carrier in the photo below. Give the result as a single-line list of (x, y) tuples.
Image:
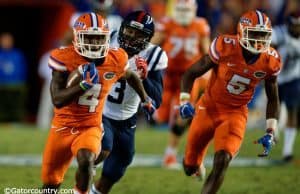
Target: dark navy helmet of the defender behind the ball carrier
[(136, 32)]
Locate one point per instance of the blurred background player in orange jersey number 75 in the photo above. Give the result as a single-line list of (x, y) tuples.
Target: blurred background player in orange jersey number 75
[(185, 38)]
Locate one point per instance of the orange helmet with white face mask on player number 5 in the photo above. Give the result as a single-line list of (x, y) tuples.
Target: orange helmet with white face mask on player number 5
[(254, 32)]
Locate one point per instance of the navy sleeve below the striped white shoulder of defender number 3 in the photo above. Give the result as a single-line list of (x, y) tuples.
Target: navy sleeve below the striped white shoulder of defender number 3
[(153, 85)]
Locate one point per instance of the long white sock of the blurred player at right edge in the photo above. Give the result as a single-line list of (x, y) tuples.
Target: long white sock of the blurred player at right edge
[(289, 140)]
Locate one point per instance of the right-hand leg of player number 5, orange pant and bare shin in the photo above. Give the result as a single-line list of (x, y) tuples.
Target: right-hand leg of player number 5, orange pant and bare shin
[(227, 139)]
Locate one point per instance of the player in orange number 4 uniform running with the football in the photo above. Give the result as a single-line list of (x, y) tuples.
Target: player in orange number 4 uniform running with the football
[(75, 129)]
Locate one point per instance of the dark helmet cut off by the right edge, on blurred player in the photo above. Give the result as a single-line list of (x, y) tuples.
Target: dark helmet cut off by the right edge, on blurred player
[(293, 23)]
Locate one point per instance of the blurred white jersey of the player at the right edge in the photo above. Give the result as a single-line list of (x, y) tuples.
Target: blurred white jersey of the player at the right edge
[(289, 49)]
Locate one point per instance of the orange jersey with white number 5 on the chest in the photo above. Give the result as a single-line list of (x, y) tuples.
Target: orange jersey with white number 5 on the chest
[(233, 81)]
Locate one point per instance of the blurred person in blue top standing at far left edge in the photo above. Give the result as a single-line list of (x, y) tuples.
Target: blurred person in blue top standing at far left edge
[(13, 73)]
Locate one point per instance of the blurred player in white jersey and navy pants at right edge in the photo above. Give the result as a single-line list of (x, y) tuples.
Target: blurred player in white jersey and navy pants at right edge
[(287, 39)]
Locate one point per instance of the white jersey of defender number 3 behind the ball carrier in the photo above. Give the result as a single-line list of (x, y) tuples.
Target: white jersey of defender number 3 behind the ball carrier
[(122, 101)]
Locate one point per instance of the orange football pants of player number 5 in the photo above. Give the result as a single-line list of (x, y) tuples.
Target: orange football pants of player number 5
[(225, 125)]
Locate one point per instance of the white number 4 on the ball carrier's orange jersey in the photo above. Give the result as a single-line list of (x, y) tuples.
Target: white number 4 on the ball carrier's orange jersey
[(90, 98)]
